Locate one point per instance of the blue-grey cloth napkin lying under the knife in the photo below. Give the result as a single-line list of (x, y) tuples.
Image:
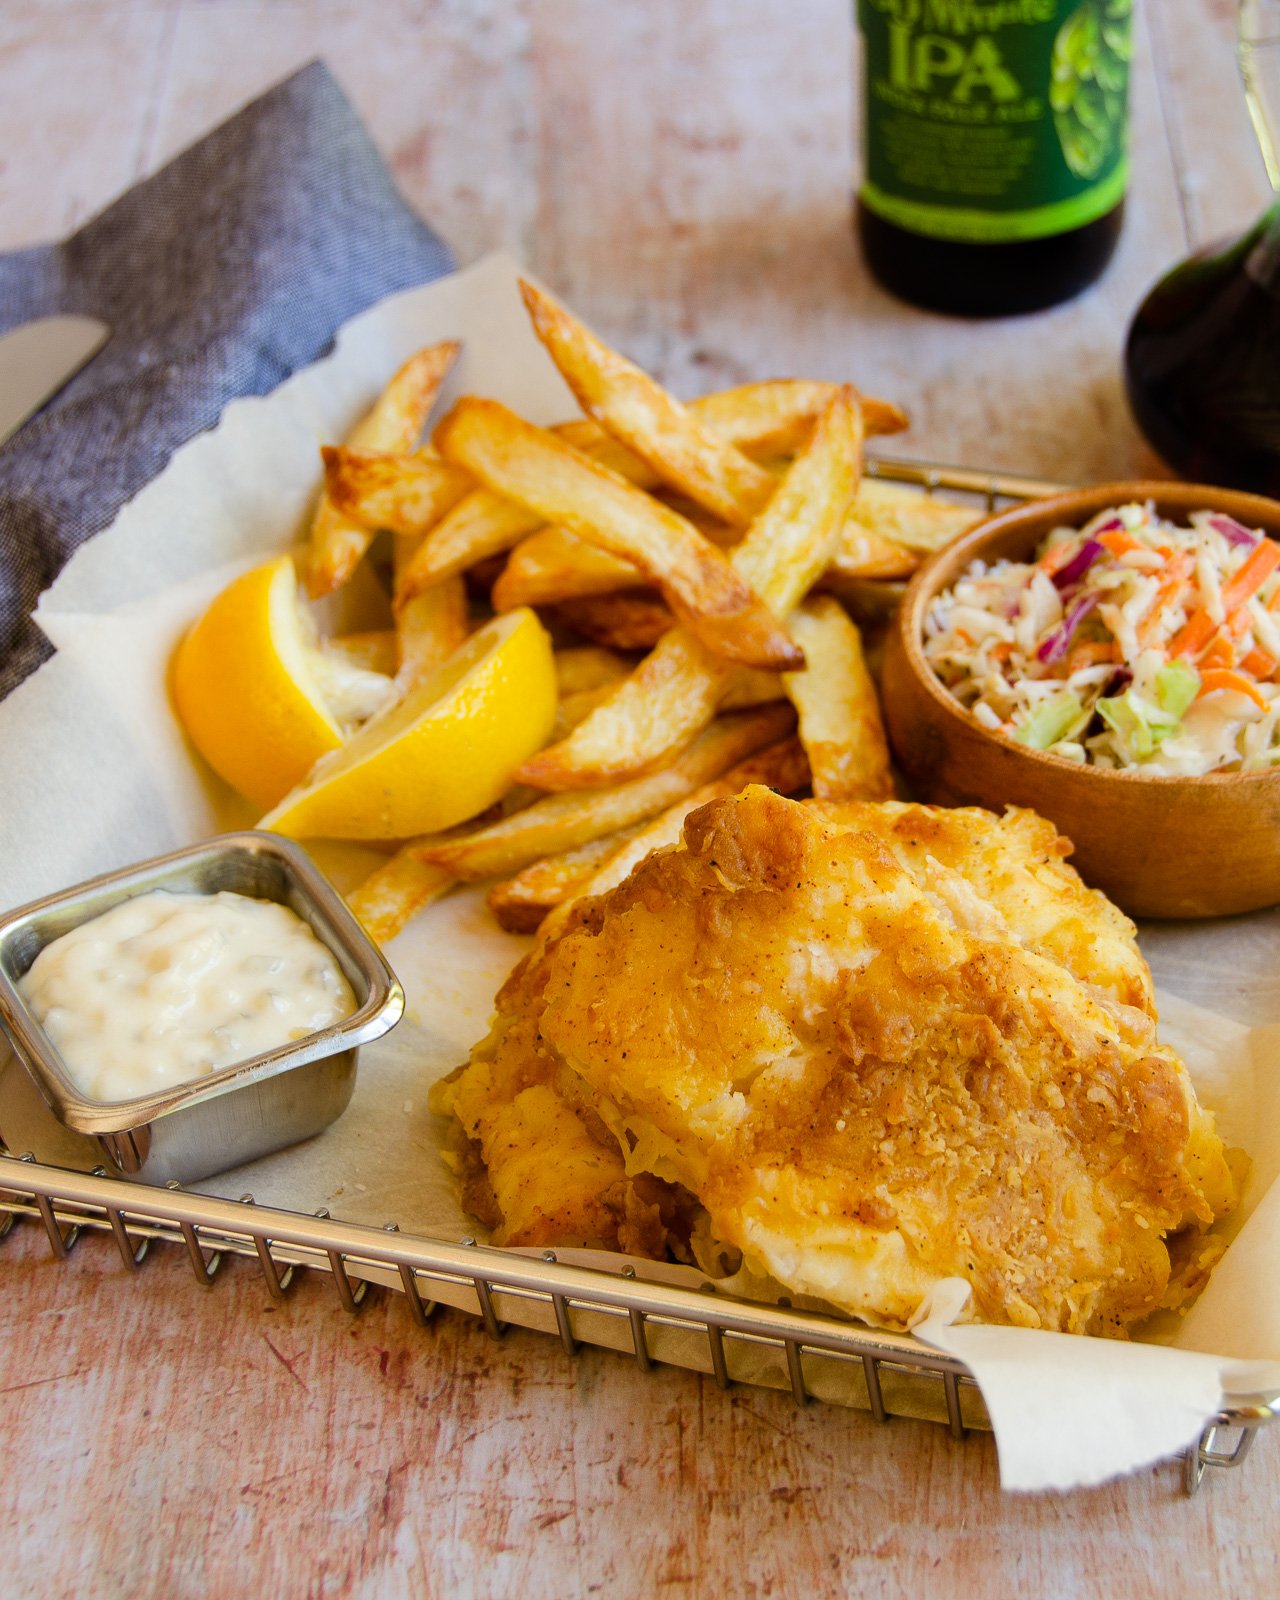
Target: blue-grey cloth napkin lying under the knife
[(220, 276)]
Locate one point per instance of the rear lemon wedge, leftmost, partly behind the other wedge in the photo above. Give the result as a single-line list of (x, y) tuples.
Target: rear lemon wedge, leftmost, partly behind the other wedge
[(247, 690)]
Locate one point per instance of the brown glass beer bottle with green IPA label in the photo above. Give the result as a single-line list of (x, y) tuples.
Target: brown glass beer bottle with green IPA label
[(994, 148)]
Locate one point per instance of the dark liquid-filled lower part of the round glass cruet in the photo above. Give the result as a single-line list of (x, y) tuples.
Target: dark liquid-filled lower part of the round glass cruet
[(1202, 364)]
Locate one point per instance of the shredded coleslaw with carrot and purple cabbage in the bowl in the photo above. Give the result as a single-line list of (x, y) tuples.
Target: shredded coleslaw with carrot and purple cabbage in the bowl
[(1132, 642)]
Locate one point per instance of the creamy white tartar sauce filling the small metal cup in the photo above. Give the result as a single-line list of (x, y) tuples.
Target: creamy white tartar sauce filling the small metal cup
[(172, 986)]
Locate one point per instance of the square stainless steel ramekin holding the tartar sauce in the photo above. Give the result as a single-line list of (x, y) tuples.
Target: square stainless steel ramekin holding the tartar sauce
[(250, 1108)]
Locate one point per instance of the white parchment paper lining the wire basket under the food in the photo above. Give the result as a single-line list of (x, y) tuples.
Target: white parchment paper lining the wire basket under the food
[(97, 774)]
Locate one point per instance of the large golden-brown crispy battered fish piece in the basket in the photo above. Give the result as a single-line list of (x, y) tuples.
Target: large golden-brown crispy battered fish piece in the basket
[(868, 1047)]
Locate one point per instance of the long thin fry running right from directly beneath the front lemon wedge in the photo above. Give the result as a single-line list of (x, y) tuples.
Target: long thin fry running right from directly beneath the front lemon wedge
[(558, 823)]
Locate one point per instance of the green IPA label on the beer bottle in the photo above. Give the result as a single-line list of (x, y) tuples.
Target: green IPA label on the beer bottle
[(994, 121)]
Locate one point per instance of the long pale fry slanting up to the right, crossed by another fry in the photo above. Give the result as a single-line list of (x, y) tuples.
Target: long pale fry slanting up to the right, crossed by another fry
[(678, 687)]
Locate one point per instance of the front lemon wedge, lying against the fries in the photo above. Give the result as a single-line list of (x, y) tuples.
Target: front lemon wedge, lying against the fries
[(444, 753)]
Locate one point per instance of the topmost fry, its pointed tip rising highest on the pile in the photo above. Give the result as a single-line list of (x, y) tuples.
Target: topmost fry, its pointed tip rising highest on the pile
[(639, 412)]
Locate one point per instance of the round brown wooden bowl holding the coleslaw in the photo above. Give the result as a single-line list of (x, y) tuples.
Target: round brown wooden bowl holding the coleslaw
[(1159, 847)]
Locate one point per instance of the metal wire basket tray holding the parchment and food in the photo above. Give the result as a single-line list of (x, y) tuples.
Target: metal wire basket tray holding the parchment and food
[(810, 1354)]
